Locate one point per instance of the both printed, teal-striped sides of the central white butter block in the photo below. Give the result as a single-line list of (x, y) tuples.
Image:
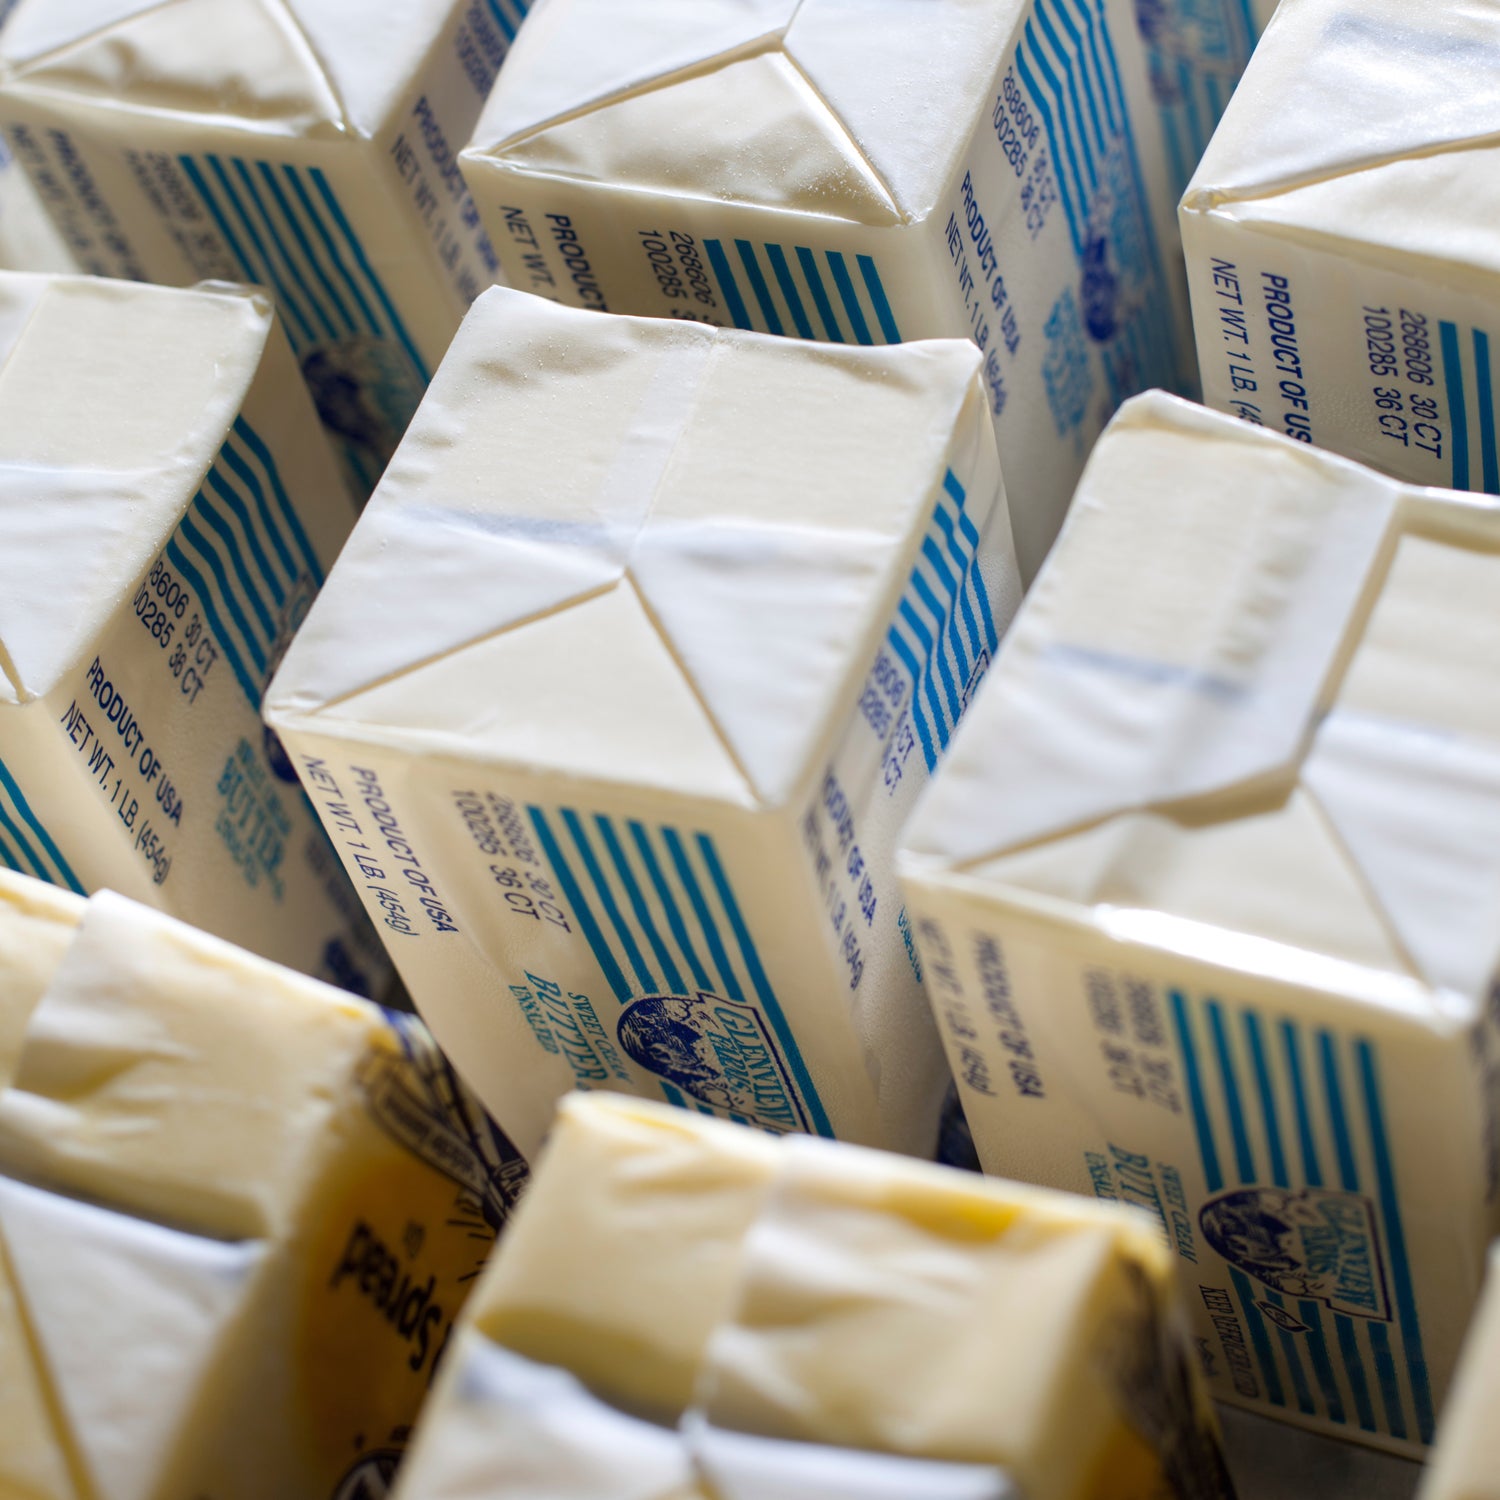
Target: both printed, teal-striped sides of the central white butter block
[(575, 935)]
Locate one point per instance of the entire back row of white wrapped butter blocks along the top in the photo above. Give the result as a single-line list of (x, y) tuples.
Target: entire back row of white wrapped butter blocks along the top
[(826, 170)]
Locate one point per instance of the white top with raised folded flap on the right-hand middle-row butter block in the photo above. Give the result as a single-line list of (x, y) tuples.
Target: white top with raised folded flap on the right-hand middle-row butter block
[(1247, 713)]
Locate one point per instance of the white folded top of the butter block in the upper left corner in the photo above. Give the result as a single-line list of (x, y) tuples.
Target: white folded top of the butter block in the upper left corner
[(286, 67)]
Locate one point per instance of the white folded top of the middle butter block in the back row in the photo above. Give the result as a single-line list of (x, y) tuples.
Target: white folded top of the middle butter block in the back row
[(584, 70)]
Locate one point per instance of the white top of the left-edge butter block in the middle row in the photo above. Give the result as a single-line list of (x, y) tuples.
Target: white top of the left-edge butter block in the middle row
[(161, 374)]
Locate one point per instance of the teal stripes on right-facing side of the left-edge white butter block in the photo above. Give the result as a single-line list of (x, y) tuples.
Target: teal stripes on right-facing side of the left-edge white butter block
[(242, 550)]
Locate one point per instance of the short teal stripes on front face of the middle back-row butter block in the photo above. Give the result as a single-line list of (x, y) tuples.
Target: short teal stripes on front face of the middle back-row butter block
[(803, 295)]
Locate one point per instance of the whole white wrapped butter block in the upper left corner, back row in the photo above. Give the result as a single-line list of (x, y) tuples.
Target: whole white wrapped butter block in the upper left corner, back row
[(307, 146)]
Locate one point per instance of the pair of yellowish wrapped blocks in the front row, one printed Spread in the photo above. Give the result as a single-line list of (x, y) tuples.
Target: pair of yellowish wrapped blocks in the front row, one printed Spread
[(241, 1216)]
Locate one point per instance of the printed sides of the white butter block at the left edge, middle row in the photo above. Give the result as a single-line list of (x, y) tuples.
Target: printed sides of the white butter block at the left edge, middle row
[(146, 769)]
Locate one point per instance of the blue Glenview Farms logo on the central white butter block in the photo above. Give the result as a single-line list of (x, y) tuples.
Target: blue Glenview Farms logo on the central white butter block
[(718, 1052)]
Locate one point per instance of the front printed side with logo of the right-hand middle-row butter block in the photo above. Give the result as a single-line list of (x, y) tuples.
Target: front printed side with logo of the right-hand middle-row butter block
[(1319, 1168)]
